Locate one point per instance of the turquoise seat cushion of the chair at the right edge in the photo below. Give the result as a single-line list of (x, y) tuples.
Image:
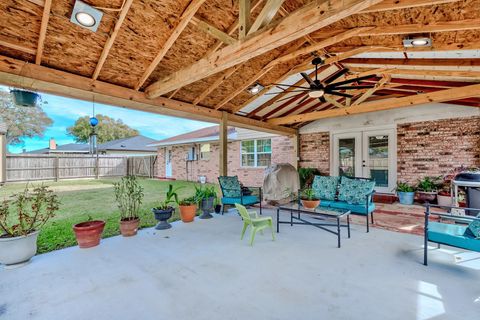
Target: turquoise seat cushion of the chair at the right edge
[(453, 235)]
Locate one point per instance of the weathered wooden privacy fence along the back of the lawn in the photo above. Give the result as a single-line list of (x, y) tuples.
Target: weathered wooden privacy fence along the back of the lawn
[(57, 167)]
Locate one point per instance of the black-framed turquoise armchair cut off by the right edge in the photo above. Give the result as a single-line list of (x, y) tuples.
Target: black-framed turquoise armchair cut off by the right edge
[(460, 231)]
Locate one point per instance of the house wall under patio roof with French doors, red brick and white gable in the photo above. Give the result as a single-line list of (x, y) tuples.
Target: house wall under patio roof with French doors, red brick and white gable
[(402, 145)]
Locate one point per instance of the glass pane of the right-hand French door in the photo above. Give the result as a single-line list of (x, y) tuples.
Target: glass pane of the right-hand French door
[(378, 159)]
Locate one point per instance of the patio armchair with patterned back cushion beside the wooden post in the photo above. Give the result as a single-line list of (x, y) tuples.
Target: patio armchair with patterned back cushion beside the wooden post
[(232, 193)]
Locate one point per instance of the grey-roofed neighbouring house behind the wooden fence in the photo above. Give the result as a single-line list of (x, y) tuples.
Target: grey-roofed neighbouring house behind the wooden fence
[(137, 145)]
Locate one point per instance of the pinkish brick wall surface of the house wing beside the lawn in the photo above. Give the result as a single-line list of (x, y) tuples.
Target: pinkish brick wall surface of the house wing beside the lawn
[(282, 152)]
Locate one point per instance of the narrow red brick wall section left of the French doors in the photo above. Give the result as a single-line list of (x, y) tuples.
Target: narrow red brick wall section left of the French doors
[(315, 151)]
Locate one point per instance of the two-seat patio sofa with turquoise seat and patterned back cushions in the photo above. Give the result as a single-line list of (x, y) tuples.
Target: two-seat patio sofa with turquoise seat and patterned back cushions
[(351, 193)]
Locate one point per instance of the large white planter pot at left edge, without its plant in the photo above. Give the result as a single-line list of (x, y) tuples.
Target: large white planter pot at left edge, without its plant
[(15, 252)]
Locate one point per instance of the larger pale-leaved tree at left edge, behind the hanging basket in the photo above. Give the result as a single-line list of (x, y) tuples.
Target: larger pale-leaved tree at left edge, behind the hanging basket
[(22, 122)]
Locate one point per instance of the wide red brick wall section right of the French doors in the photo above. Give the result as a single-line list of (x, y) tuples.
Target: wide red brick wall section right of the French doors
[(434, 148)]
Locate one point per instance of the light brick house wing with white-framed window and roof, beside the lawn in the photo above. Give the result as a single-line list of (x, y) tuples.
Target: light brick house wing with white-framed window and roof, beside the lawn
[(195, 155)]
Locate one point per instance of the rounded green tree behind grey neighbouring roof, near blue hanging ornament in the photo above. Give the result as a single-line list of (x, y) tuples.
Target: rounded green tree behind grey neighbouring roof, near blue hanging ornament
[(108, 129)]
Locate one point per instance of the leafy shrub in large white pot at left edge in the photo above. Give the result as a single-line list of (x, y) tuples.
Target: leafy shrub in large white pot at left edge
[(20, 222)]
